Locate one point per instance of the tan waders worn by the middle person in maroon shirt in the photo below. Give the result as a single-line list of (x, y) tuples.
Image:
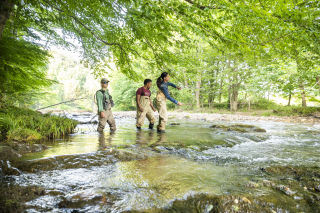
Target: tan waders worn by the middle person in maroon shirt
[(145, 102)]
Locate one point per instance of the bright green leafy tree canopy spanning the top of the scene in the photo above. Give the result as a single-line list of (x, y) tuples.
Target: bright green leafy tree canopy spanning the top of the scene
[(218, 46)]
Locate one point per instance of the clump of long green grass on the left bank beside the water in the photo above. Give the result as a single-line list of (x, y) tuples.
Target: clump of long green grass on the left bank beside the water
[(21, 124)]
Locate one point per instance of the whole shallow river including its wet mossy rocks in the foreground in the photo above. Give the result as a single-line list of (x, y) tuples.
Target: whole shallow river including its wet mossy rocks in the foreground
[(214, 166)]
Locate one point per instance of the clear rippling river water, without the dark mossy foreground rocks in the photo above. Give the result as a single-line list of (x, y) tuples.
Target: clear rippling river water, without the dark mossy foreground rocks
[(143, 170)]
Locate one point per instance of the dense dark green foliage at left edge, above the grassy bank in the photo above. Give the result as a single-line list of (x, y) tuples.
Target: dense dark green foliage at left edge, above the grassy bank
[(22, 69)]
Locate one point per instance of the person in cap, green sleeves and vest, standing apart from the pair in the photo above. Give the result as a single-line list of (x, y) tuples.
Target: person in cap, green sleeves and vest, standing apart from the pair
[(105, 102)]
